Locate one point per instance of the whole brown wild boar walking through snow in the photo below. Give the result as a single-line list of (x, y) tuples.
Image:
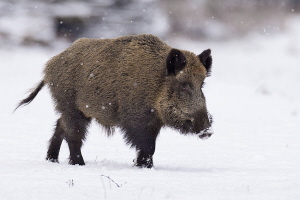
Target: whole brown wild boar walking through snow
[(137, 83)]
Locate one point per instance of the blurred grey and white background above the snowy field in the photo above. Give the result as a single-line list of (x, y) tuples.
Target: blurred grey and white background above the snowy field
[(47, 23)]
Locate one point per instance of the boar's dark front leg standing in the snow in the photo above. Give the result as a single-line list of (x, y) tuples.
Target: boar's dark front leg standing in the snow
[(143, 138)]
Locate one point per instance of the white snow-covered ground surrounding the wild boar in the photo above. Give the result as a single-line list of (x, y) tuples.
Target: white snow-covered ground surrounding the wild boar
[(253, 94)]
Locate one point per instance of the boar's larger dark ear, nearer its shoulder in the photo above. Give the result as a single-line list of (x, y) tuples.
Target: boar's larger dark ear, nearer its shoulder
[(175, 62)]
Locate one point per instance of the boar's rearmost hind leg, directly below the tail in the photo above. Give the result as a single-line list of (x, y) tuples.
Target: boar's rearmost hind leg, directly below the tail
[(55, 143)]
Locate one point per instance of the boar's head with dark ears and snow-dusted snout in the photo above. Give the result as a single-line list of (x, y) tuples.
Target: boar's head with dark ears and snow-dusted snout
[(181, 102)]
